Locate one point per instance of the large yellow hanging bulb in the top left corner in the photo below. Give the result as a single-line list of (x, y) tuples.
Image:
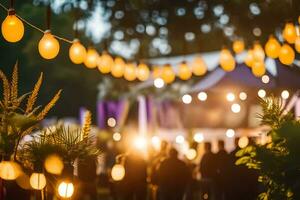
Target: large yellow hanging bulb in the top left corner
[(12, 27)]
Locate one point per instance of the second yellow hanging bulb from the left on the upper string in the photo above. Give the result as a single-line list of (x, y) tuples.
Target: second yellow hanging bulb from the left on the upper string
[(48, 46)]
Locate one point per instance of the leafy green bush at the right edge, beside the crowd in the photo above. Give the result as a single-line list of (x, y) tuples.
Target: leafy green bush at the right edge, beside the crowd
[(278, 160)]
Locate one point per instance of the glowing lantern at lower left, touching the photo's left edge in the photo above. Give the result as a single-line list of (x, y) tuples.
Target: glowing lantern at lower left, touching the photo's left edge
[(9, 170)]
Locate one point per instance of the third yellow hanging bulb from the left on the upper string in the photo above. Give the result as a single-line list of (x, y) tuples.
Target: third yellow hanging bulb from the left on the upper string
[(77, 52)]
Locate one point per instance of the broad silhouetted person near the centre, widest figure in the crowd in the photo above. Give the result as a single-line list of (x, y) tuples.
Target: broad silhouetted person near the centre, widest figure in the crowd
[(173, 177)]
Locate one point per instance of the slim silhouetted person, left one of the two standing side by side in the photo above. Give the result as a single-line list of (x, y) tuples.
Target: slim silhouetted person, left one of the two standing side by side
[(208, 171)]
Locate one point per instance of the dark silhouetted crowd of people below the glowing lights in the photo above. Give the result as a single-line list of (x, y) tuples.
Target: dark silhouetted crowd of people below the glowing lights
[(164, 176)]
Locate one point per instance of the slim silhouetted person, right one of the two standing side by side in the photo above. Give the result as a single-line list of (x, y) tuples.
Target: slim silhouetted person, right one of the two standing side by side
[(223, 167)]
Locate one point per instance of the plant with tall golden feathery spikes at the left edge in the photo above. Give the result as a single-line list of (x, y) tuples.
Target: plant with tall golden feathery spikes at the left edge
[(17, 120)]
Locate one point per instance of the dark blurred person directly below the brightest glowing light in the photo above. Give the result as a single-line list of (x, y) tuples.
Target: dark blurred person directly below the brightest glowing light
[(134, 184)]
